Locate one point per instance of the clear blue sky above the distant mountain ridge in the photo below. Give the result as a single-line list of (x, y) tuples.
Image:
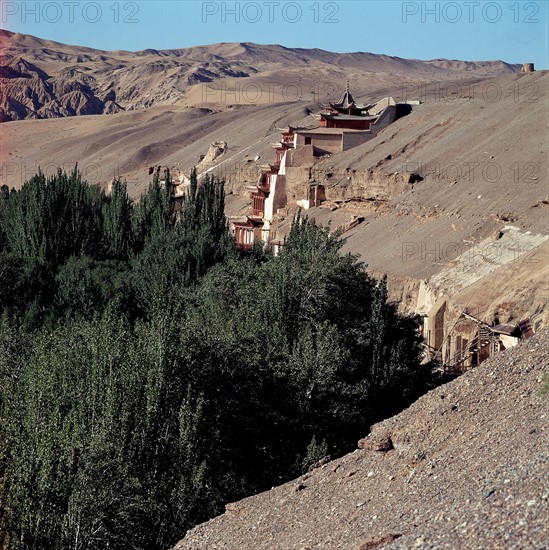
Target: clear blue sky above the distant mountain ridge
[(514, 31)]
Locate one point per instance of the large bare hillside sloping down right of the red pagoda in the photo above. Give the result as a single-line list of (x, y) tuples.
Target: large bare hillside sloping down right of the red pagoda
[(471, 218)]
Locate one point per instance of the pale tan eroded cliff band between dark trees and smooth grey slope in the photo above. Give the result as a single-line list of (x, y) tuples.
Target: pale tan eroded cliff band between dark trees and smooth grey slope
[(498, 279)]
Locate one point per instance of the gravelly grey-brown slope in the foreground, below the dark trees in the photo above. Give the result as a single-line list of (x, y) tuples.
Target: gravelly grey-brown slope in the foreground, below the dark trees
[(466, 466)]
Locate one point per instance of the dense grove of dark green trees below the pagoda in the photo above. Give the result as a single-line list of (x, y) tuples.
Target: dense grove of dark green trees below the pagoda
[(151, 372)]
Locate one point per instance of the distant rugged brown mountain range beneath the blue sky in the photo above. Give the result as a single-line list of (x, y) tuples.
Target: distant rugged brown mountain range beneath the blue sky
[(45, 79)]
